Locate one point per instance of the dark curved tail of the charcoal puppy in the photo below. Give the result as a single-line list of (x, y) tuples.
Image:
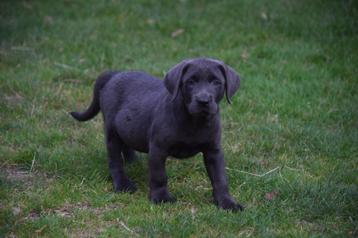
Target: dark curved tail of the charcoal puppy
[(94, 108)]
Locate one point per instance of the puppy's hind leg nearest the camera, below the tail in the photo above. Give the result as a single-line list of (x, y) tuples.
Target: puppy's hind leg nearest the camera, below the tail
[(115, 147)]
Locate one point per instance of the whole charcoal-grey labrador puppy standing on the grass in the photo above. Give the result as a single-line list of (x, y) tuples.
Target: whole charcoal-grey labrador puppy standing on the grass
[(177, 117)]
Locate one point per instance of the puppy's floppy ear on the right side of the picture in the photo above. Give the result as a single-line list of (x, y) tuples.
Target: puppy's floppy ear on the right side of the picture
[(232, 80)]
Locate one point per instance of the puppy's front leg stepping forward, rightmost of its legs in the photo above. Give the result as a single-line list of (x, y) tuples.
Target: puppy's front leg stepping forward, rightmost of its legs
[(215, 166)]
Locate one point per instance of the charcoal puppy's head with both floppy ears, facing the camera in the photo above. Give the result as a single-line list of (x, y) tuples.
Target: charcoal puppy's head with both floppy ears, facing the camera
[(202, 83)]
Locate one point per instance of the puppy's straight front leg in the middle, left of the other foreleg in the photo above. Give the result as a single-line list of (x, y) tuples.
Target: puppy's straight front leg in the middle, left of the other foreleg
[(157, 177)]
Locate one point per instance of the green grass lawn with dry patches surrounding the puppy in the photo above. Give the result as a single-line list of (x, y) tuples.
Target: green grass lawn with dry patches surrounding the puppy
[(297, 110)]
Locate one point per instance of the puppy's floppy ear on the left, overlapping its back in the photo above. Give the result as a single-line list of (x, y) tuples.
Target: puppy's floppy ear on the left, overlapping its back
[(173, 78)]
